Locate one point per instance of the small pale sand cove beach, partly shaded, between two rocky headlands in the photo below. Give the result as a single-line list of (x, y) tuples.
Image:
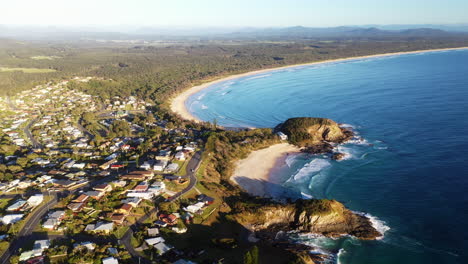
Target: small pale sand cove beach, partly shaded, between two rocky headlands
[(253, 173)]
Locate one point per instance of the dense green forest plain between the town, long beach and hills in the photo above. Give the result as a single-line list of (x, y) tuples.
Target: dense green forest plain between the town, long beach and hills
[(156, 72)]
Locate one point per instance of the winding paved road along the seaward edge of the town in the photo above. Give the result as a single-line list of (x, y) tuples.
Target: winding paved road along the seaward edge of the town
[(191, 168)]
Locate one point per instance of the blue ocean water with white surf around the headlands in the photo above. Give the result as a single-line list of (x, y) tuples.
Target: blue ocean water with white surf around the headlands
[(410, 171)]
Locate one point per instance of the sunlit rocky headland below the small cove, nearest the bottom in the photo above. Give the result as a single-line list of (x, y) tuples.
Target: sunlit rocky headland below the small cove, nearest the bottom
[(325, 217)]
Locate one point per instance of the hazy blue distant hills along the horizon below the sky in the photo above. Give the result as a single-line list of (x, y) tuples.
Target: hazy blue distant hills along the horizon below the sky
[(158, 33)]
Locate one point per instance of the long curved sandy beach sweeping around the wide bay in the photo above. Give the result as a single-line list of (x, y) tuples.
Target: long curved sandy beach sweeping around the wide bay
[(177, 104)]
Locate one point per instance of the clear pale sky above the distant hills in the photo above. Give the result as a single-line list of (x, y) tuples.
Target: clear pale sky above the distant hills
[(224, 13)]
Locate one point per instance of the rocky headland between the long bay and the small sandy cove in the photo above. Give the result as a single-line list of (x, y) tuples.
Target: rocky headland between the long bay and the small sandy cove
[(314, 134)]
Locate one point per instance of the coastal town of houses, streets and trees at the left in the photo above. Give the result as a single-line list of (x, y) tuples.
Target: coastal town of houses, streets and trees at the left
[(91, 179)]
